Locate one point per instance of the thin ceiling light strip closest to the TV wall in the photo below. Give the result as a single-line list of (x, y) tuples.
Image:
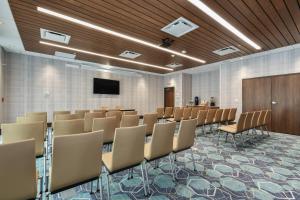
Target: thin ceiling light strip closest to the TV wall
[(103, 55)]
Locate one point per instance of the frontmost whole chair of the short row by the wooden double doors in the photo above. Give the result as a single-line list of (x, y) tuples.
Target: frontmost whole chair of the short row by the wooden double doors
[(233, 129)]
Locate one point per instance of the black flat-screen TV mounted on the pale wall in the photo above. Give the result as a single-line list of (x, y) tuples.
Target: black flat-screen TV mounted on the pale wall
[(106, 86)]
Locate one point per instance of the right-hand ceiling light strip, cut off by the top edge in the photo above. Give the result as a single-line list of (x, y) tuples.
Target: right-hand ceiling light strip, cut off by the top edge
[(199, 4)]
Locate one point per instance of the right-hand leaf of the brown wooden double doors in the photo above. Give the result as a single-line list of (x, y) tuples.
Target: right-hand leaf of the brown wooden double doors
[(286, 104)]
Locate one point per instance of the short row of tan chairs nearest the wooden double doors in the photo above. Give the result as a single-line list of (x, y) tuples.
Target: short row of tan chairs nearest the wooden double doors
[(248, 122)]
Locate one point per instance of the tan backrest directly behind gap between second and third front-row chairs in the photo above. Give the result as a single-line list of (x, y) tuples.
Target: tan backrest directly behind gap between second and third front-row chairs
[(108, 125)]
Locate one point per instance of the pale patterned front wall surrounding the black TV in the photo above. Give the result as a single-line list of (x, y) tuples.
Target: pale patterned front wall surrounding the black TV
[(44, 84)]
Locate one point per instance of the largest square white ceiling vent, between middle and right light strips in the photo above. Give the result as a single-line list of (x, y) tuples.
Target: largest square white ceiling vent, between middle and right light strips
[(179, 27)]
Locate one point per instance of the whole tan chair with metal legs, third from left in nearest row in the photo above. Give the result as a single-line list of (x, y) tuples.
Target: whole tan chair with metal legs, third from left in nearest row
[(127, 152)]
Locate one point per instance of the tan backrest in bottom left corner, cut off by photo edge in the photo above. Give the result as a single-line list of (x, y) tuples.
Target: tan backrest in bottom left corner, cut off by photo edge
[(18, 170)]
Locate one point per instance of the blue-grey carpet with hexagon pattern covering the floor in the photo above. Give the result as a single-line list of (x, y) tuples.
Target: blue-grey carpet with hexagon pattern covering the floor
[(270, 169)]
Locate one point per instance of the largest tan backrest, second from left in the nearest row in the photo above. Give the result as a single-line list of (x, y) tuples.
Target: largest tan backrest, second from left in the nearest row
[(75, 159)]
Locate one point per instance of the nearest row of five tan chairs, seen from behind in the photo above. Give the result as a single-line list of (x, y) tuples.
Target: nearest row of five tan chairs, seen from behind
[(76, 158)]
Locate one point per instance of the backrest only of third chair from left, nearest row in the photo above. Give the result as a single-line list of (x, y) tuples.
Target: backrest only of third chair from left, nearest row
[(128, 147)]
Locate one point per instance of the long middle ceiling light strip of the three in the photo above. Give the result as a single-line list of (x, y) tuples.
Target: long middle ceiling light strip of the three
[(114, 33)]
